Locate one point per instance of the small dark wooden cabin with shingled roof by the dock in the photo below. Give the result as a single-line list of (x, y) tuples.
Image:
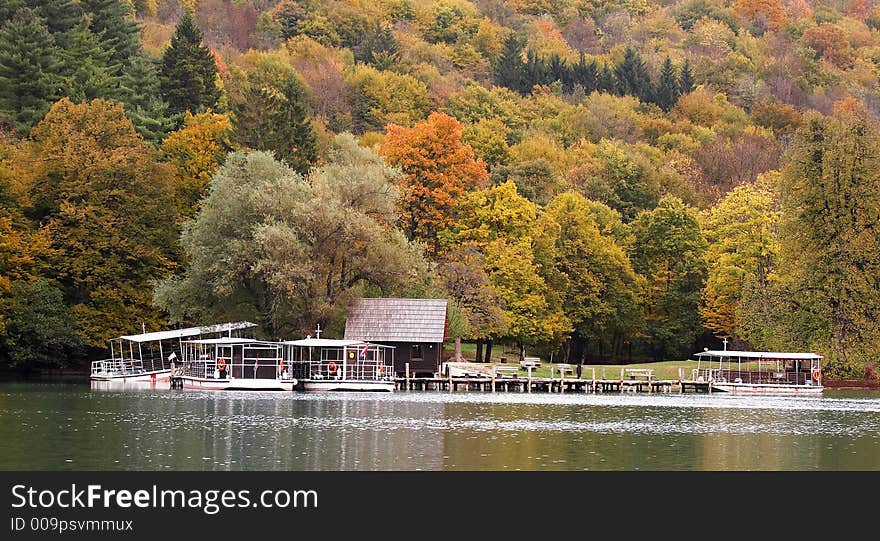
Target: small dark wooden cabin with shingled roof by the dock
[(416, 328)]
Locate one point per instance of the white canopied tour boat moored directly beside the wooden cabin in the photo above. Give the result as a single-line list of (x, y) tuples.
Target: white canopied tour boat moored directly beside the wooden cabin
[(321, 364)]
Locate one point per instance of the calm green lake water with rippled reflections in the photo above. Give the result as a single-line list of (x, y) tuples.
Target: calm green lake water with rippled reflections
[(76, 427)]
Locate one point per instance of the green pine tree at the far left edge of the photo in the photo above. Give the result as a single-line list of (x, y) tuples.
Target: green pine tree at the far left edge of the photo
[(30, 70)]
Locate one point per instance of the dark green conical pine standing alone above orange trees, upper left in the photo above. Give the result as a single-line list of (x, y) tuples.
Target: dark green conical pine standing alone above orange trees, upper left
[(188, 70)]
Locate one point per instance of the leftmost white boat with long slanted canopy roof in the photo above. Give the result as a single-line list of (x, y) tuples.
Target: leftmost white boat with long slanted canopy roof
[(148, 357)]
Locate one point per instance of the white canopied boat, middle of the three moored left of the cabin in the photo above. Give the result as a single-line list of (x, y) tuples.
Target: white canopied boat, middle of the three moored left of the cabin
[(227, 363)]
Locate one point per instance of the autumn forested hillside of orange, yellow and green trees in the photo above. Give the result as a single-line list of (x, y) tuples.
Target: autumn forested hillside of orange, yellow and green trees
[(605, 180)]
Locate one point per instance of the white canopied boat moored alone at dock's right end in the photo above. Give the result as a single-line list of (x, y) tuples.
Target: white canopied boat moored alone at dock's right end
[(760, 372)]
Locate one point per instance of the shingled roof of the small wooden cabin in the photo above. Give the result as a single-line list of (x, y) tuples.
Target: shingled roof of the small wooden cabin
[(396, 320)]
